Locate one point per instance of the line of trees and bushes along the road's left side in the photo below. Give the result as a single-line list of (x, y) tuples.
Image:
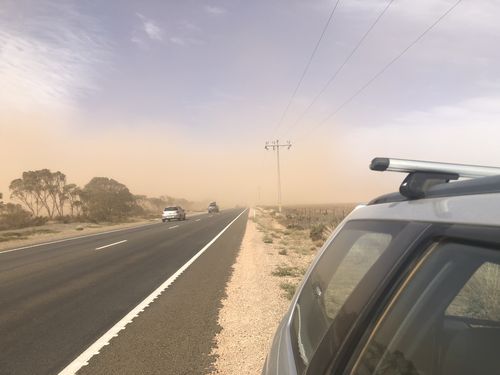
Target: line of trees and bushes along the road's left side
[(42, 195)]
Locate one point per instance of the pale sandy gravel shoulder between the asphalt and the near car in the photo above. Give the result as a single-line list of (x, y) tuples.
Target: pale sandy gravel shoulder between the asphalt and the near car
[(270, 264)]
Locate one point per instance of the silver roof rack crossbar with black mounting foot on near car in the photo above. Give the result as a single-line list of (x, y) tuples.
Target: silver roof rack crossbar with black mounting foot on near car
[(424, 175)]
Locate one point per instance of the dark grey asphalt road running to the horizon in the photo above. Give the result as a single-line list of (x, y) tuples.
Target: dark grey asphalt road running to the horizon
[(58, 299)]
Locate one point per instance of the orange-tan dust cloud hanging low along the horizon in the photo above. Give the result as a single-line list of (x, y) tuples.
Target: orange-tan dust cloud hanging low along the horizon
[(168, 162)]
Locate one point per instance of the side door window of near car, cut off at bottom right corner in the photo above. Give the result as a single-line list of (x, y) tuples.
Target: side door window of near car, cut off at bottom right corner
[(444, 319)]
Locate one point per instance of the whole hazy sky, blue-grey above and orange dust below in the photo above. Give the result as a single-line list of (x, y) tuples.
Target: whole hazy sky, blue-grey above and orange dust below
[(179, 97)]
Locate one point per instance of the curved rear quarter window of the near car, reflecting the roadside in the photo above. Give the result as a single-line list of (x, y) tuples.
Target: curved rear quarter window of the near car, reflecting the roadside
[(342, 266)]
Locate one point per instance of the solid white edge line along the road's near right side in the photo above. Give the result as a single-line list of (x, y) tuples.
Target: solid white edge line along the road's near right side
[(84, 358)]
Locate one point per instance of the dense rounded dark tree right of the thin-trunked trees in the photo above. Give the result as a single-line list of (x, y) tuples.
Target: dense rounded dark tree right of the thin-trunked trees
[(105, 199)]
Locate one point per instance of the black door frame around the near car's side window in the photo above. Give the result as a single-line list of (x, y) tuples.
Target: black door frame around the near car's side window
[(473, 235)]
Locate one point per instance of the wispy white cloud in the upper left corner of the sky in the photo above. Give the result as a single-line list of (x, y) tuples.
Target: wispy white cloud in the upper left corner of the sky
[(51, 62)]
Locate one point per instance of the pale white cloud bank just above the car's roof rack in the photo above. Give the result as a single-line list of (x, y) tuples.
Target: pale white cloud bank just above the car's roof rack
[(464, 132)]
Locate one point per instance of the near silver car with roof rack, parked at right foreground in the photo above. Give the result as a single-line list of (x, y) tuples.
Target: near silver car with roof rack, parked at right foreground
[(408, 284)]
